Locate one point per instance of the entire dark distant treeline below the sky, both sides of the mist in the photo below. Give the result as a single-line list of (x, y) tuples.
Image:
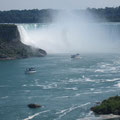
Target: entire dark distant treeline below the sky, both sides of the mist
[(46, 15)]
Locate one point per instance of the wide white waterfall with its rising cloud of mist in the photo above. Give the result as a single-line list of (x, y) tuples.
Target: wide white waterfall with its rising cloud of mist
[(70, 34)]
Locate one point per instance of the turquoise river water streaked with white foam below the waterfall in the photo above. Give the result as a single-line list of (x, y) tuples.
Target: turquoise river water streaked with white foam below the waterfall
[(66, 88)]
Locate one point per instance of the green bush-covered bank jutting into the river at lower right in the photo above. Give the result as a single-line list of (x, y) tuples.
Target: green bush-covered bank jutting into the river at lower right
[(109, 106)]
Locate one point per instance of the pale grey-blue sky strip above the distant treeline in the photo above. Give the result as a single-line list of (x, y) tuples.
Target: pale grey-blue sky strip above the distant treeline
[(56, 4)]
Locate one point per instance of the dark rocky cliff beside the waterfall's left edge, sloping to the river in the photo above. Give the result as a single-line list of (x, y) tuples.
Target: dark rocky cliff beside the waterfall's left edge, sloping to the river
[(12, 48)]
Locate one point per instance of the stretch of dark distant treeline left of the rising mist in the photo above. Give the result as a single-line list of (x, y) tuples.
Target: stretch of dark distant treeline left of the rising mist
[(26, 16)]
